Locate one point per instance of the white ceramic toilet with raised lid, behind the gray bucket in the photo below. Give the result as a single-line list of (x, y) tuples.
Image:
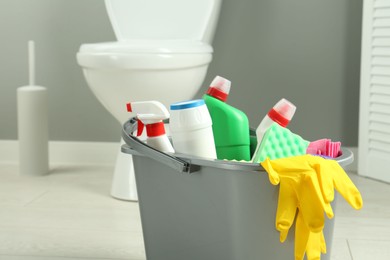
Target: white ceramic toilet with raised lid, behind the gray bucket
[(162, 53)]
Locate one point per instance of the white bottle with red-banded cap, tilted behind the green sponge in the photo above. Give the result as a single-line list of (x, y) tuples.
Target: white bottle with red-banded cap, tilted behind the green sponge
[(281, 113)]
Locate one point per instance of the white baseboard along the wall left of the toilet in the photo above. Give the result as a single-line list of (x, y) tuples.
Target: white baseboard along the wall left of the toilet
[(67, 152)]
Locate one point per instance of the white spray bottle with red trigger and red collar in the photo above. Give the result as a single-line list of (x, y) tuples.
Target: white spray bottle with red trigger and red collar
[(151, 114)]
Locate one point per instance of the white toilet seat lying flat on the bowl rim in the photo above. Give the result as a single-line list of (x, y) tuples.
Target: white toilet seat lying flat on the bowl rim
[(144, 46)]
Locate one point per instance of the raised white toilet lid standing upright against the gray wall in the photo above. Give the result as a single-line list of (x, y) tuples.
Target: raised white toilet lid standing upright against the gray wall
[(164, 19)]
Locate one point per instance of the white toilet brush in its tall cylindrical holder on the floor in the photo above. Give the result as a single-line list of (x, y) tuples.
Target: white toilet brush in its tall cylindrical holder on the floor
[(32, 124)]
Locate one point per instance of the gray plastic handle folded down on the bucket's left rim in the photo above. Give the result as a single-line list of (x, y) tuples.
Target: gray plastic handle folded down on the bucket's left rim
[(134, 143)]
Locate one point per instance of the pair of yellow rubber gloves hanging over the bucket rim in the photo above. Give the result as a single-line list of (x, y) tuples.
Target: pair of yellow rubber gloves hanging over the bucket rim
[(307, 183)]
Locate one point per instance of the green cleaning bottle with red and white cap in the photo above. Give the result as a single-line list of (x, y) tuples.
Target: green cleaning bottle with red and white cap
[(230, 125)]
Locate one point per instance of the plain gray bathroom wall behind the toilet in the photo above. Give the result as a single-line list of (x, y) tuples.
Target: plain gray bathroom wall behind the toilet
[(306, 51)]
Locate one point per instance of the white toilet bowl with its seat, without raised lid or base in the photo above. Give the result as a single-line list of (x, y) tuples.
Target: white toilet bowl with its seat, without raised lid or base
[(120, 72)]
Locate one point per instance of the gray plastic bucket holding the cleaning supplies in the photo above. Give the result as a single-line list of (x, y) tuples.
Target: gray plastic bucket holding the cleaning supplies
[(199, 209)]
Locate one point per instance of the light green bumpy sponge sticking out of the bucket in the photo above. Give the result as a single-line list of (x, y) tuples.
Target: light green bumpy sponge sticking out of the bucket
[(280, 142)]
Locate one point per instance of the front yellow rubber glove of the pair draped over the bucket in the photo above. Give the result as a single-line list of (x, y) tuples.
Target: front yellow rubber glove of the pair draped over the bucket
[(299, 187)]
